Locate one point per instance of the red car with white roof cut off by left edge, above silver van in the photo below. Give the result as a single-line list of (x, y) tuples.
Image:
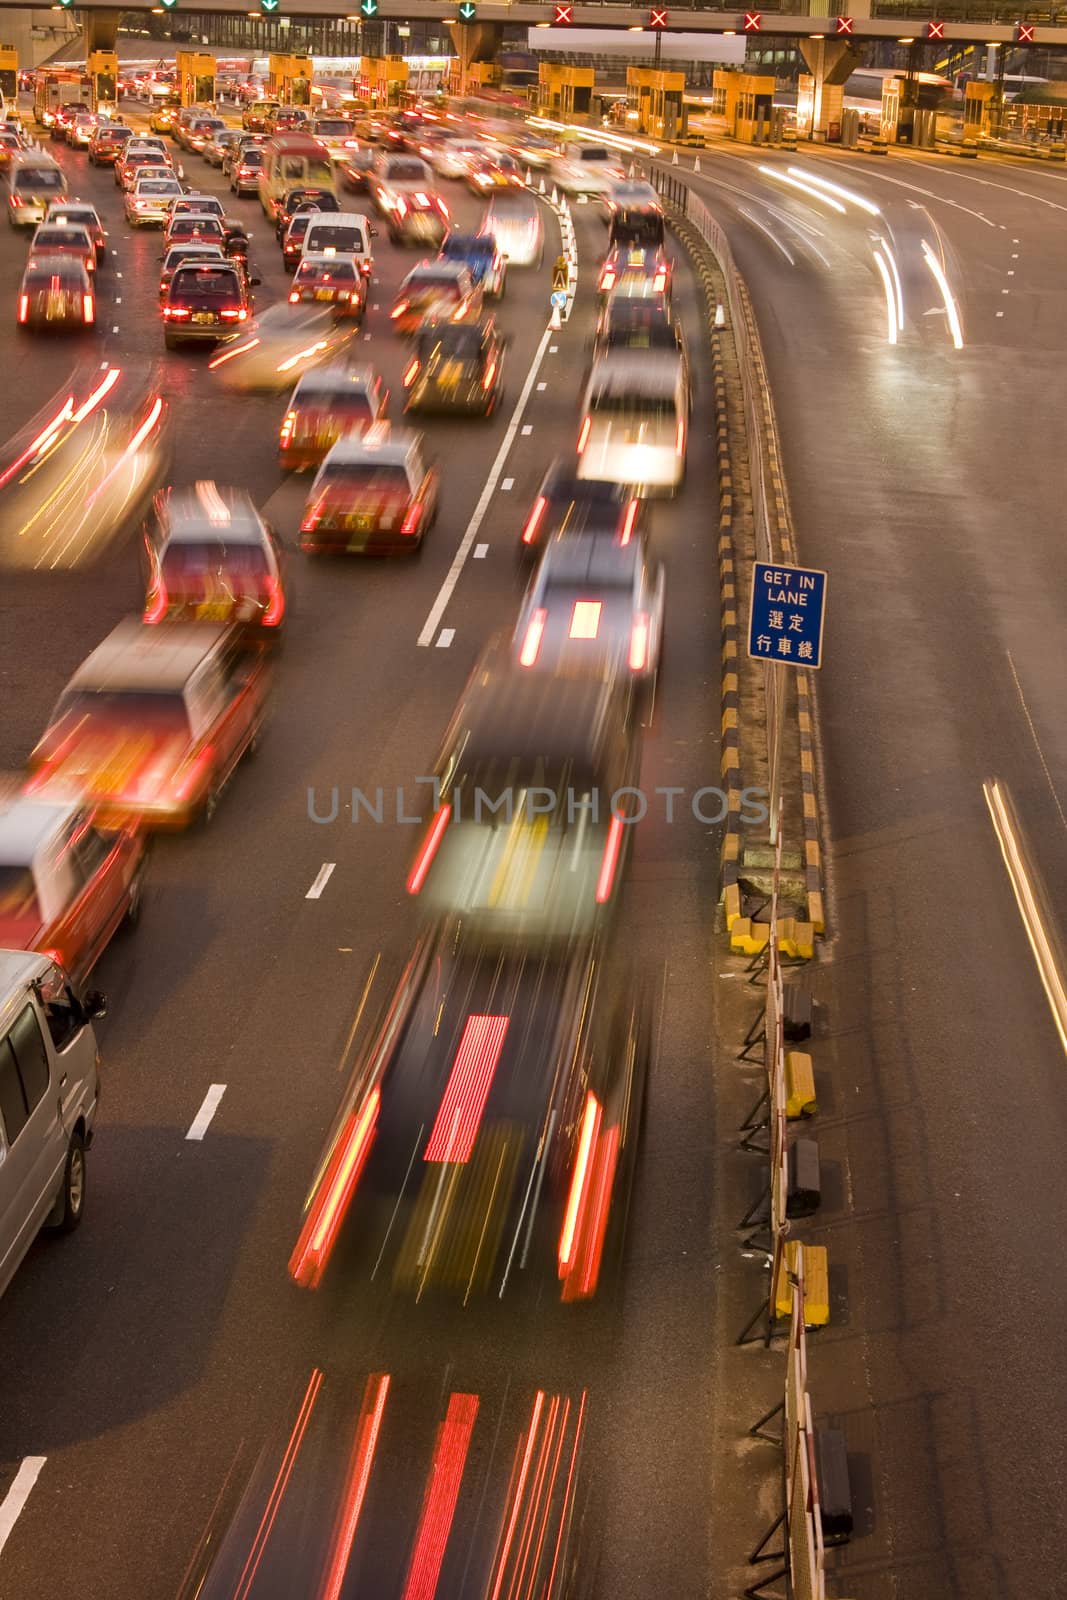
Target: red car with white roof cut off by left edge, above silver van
[(66, 886)]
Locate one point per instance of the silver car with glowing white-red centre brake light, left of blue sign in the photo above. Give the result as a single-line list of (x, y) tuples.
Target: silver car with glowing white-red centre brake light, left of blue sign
[(591, 601)]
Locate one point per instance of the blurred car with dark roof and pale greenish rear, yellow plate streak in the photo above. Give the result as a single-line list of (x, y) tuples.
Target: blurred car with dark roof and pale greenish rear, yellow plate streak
[(526, 847)]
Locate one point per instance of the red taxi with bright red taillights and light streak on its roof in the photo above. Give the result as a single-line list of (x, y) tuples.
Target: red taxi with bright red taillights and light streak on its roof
[(212, 558)]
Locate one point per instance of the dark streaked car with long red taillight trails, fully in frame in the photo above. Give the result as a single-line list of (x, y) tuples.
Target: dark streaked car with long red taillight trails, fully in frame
[(487, 1138)]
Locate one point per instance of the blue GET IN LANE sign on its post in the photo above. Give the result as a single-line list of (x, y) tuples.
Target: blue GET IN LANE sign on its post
[(785, 631)]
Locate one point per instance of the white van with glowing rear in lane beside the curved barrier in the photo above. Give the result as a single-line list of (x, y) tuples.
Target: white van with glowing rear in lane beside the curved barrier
[(636, 422)]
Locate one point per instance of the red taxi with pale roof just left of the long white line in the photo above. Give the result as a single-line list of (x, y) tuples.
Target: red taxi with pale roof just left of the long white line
[(374, 495)]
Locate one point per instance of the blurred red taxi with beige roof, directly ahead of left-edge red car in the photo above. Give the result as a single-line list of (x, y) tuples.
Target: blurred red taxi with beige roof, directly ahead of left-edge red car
[(154, 722)]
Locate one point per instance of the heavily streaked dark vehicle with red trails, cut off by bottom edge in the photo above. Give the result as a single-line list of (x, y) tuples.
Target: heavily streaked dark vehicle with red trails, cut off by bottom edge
[(449, 1505)]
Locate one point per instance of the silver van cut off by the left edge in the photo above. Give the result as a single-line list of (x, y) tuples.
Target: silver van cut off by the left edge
[(49, 1097)]
